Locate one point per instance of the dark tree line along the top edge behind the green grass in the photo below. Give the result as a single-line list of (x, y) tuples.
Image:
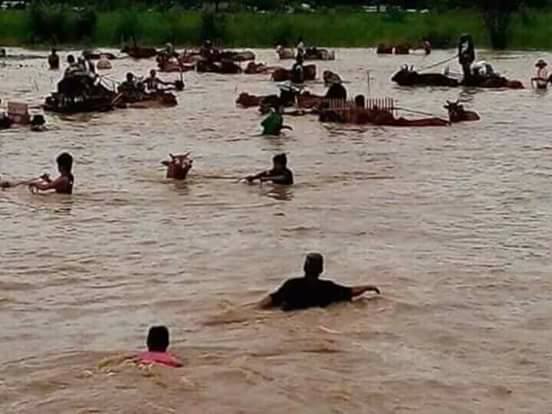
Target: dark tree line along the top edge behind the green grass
[(47, 17)]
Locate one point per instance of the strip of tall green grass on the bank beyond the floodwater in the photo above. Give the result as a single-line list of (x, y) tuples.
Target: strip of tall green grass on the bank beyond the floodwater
[(340, 29)]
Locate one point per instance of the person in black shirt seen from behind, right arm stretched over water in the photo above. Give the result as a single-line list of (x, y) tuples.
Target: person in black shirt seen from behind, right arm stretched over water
[(309, 291)]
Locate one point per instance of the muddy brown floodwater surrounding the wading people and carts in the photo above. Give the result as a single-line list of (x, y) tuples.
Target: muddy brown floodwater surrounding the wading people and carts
[(453, 224)]
